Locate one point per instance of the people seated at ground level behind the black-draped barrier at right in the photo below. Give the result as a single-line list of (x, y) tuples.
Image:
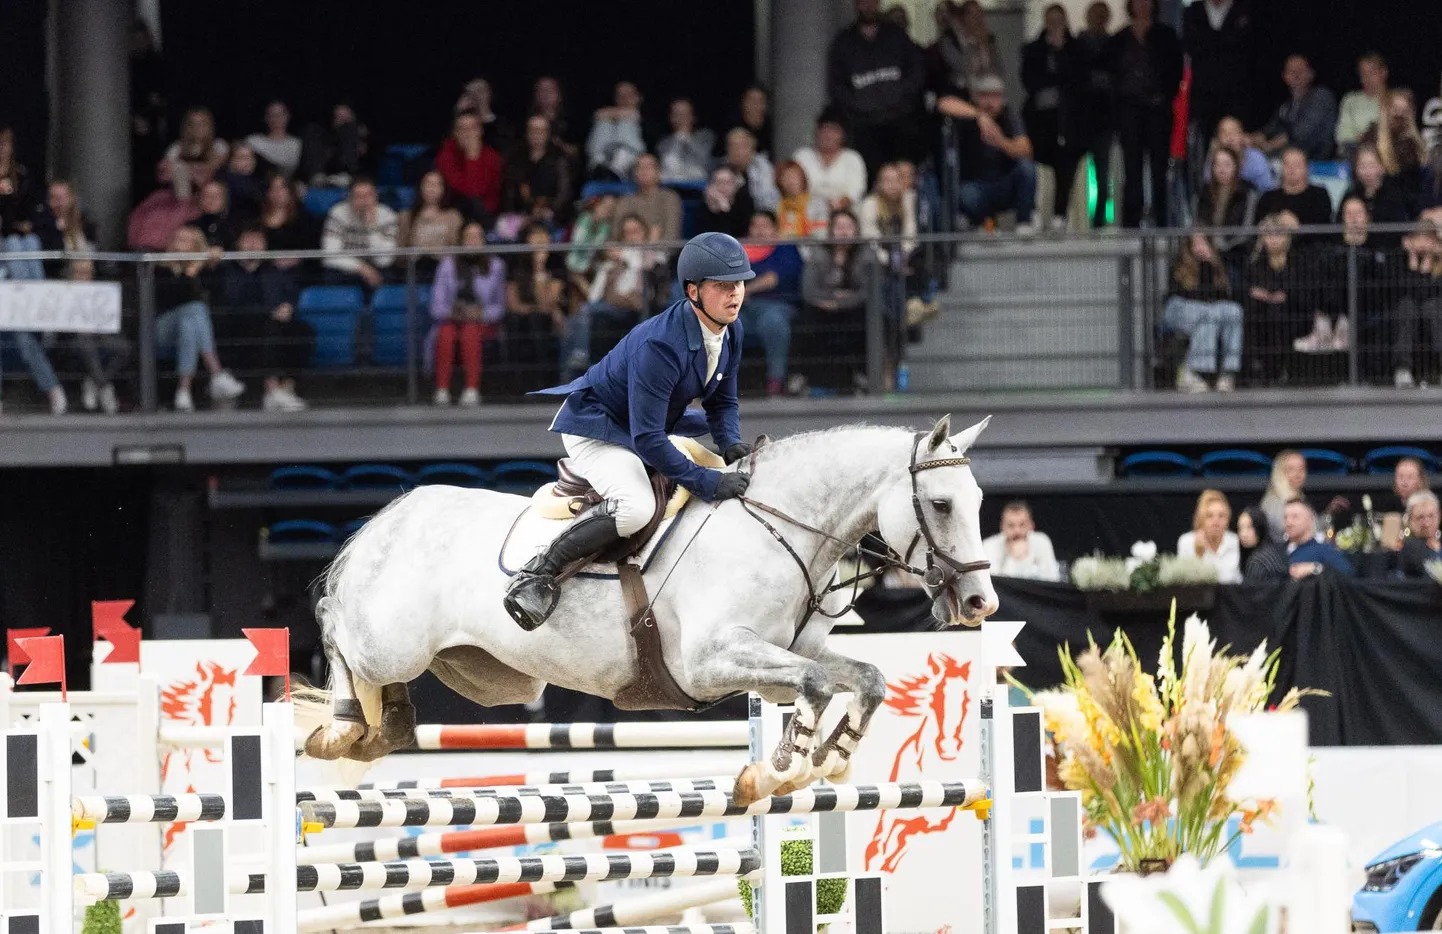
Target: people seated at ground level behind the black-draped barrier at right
[(1277, 538)]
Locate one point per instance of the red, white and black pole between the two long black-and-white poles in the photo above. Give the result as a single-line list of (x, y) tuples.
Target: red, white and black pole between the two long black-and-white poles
[(446, 842)]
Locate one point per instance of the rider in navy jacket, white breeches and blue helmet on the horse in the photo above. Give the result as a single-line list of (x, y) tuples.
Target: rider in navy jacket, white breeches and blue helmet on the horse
[(616, 419)]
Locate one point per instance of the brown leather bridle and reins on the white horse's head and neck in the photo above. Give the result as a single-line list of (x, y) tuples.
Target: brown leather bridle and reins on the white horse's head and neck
[(941, 567)]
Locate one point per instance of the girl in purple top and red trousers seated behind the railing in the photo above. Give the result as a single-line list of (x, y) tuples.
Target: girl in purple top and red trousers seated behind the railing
[(468, 305)]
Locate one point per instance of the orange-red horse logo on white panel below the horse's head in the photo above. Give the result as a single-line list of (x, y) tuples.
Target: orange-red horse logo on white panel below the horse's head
[(939, 700)]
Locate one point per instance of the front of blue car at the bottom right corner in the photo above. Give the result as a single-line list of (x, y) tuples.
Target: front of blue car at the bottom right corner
[(1404, 890)]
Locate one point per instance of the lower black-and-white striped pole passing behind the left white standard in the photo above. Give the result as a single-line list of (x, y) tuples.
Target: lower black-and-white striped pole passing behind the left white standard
[(417, 874)]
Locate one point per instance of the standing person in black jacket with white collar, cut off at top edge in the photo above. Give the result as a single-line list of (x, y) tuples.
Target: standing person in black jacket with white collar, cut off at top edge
[(1218, 38)]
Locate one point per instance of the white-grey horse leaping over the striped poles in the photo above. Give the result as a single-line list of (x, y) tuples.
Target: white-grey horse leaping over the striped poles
[(420, 587)]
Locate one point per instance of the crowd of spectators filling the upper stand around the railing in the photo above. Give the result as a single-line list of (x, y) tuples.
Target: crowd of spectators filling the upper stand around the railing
[(1251, 301)]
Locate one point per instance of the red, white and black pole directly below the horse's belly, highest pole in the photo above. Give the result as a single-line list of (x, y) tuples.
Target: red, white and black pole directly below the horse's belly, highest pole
[(683, 734)]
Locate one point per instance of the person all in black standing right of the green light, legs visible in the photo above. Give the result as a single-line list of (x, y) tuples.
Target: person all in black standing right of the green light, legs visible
[(1147, 70)]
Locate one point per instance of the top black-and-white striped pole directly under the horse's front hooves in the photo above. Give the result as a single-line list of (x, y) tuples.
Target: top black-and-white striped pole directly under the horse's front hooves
[(576, 809)]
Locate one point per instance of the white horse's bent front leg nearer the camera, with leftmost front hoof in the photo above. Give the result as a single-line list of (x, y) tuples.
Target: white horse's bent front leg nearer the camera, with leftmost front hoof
[(743, 662)]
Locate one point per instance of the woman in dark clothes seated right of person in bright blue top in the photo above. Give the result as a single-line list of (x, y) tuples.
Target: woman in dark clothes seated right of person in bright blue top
[(836, 288)]
